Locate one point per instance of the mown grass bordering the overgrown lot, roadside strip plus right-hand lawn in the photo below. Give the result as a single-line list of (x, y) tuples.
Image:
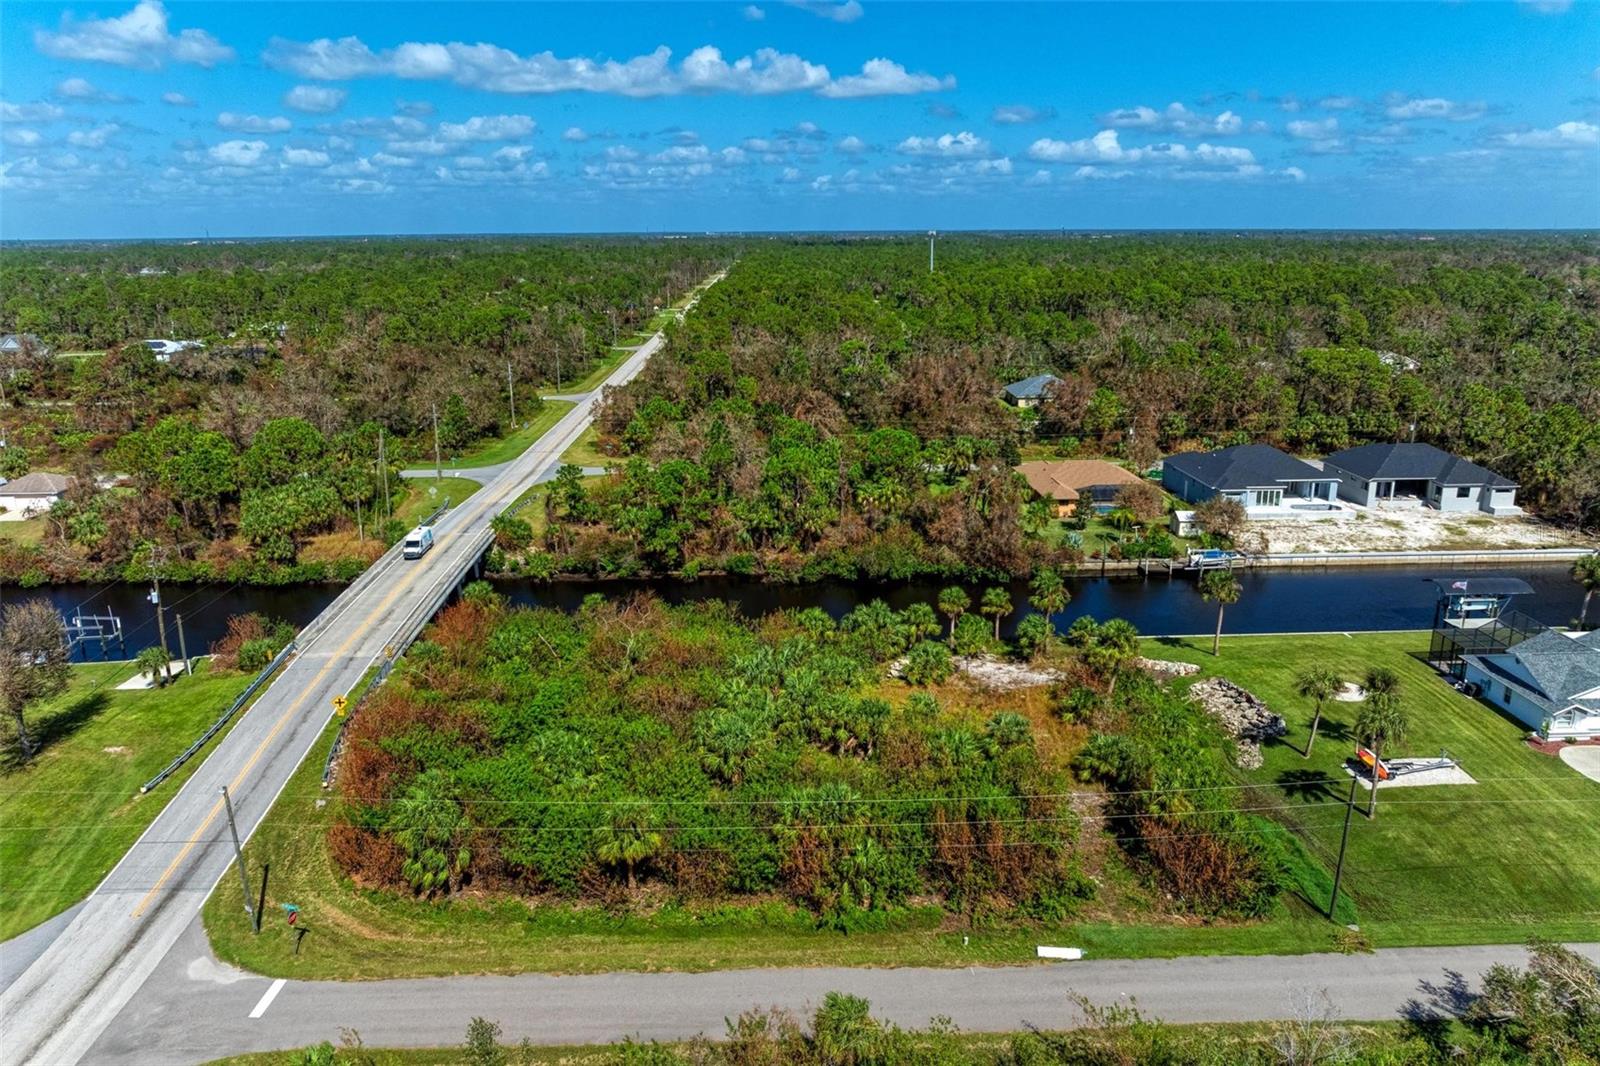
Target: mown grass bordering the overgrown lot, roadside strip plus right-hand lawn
[(1508, 859)]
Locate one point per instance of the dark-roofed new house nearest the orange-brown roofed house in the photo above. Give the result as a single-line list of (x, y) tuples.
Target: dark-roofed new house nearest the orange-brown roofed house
[(1270, 483)]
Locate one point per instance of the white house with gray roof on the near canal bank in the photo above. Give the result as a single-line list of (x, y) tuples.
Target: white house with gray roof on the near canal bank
[(1550, 683)]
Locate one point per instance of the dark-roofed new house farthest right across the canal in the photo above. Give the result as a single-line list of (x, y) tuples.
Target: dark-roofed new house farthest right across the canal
[(1414, 475)]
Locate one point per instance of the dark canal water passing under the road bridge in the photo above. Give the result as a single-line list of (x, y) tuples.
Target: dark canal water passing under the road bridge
[(1274, 601)]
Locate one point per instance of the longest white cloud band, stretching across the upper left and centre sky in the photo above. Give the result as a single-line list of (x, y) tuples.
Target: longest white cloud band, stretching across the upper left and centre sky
[(495, 70)]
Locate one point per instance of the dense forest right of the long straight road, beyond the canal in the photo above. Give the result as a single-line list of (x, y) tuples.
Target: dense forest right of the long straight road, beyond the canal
[(786, 380)]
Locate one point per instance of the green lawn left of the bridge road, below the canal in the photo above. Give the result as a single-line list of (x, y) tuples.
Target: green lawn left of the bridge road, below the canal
[(71, 812)]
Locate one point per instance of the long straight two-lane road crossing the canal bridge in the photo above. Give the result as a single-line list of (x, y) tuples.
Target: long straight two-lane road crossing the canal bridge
[(63, 1003)]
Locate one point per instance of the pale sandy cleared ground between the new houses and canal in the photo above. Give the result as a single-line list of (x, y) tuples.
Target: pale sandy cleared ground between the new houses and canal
[(1409, 531)]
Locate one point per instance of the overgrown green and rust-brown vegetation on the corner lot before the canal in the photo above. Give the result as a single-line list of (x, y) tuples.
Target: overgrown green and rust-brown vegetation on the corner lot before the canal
[(719, 759)]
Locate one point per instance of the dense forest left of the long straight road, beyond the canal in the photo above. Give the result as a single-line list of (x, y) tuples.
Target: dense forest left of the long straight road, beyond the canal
[(233, 455)]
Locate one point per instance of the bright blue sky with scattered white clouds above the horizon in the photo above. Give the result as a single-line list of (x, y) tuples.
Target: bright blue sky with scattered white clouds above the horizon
[(129, 119)]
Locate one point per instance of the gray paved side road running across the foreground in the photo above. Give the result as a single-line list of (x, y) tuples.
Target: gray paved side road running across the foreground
[(196, 1009)]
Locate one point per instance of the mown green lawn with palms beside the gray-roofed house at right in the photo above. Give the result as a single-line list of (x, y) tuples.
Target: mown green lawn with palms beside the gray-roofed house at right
[(1514, 856)]
